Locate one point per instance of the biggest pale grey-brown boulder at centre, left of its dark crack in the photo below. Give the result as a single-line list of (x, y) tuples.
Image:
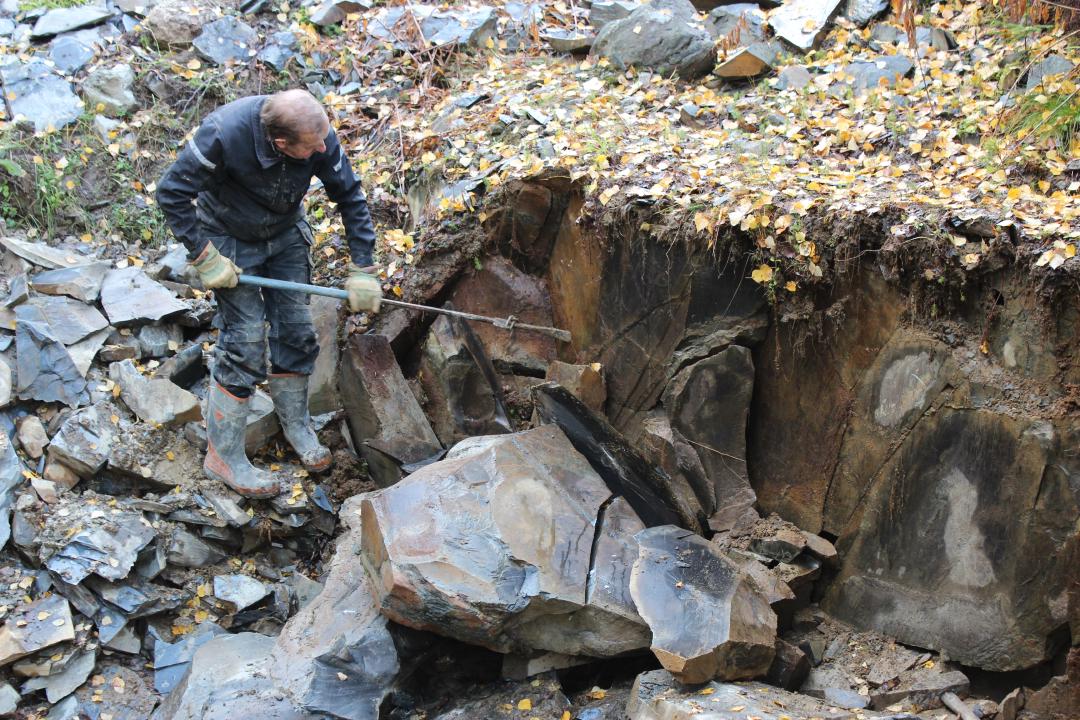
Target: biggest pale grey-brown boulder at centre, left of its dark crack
[(492, 545)]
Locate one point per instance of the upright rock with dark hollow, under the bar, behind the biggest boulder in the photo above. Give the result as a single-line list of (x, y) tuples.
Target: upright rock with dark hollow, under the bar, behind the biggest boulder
[(465, 398)]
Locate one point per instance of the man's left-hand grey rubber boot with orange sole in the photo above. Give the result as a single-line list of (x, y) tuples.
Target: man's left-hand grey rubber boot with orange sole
[(226, 458)]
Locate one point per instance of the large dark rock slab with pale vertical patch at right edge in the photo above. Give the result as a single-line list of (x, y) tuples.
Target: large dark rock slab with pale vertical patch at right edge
[(961, 544)]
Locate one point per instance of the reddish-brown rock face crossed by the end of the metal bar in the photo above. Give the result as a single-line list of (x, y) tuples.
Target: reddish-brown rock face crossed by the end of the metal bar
[(501, 290)]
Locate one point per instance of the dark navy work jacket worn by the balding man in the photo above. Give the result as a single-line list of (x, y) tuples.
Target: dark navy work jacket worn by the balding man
[(244, 184)]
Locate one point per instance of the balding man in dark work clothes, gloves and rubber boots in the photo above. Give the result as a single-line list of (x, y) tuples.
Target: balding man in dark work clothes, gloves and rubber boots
[(234, 198)]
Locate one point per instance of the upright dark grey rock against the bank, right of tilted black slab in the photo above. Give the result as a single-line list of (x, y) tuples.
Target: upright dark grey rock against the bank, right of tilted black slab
[(709, 404)]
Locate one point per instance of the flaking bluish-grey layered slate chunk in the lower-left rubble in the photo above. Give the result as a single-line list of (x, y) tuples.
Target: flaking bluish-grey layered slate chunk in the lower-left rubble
[(109, 550)]
